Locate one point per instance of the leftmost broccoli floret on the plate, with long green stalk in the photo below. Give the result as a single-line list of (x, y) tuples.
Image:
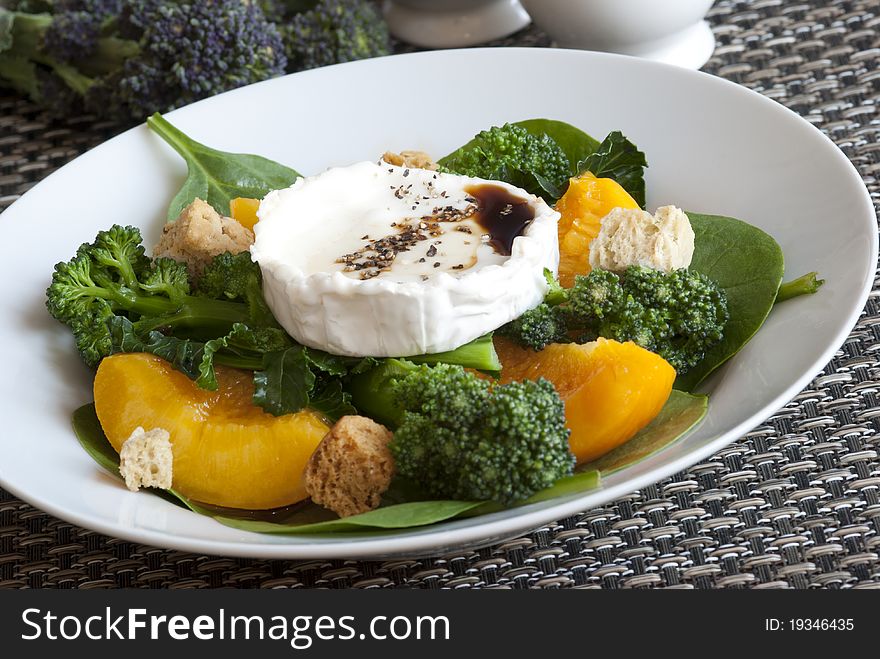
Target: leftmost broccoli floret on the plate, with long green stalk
[(112, 277)]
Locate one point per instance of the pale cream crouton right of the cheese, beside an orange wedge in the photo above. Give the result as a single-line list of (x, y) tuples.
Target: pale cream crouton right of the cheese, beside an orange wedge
[(630, 236)]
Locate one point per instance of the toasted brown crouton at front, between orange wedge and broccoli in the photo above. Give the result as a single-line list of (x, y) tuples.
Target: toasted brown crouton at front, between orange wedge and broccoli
[(352, 466)]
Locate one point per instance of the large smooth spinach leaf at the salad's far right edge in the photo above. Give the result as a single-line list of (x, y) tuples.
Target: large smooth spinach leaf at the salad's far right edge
[(748, 265)]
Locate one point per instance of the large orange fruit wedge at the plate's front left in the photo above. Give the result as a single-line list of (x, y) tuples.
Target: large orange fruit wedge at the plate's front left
[(227, 451)]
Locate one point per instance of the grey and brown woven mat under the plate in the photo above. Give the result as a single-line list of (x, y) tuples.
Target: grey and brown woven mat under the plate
[(796, 503)]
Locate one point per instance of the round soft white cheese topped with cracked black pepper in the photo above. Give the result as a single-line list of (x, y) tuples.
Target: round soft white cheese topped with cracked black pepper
[(385, 261)]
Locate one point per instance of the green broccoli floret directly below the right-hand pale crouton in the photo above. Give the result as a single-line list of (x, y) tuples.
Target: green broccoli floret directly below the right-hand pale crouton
[(679, 315)]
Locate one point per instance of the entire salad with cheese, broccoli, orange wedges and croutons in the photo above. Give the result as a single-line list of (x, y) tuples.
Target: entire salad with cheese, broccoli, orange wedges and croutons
[(398, 342)]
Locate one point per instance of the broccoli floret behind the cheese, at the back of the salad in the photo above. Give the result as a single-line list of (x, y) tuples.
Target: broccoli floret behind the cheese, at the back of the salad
[(511, 153)]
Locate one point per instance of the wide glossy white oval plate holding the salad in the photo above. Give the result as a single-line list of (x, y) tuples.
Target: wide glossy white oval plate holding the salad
[(713, 146)]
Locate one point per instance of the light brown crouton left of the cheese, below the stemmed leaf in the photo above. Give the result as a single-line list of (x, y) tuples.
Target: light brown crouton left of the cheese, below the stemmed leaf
[(199, 234)]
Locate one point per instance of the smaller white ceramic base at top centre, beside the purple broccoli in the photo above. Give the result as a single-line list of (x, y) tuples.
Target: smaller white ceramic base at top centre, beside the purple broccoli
[(453, 23)]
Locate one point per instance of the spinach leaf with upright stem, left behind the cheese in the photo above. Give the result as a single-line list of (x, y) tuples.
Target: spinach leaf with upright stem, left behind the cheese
[(218, 176)]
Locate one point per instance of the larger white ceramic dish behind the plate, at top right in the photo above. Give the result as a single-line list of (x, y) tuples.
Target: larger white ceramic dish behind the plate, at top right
[(672, 32)]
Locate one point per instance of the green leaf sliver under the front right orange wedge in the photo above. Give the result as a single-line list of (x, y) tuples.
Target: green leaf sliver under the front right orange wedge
[(681, 413)]
